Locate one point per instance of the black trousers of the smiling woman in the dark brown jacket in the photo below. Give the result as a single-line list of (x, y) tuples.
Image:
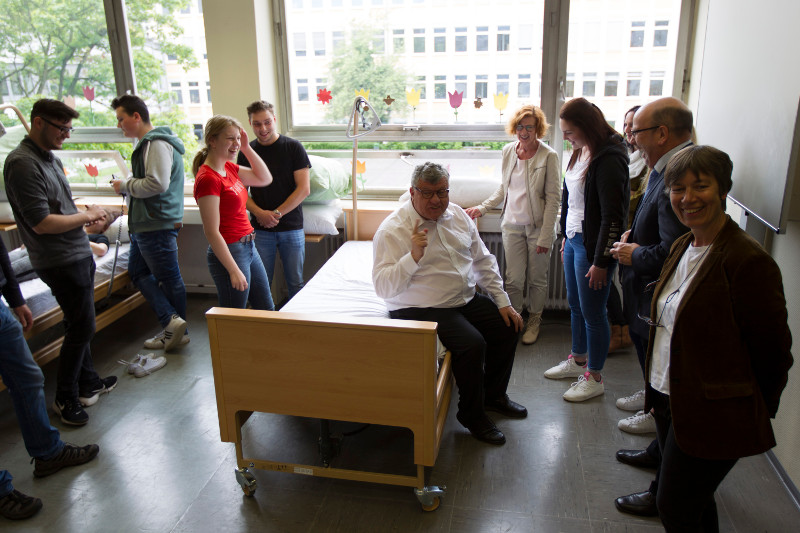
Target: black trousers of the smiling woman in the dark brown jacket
[(686, 484)]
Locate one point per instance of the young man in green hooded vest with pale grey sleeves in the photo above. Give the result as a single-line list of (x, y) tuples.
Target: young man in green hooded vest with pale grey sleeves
[(155, 215)]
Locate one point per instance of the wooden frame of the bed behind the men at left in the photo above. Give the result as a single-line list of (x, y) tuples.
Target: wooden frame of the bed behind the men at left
[(53, 317)]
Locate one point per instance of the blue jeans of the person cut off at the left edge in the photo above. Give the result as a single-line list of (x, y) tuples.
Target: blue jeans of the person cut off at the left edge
[(25, 383)]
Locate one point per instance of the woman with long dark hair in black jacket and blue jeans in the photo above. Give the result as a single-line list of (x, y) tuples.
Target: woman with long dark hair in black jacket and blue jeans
[(594, 210)]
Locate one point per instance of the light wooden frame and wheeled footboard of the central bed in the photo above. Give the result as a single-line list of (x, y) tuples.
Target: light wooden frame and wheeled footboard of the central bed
[(368, 370)]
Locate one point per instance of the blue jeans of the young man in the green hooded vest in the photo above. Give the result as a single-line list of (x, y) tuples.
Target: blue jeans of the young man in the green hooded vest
[(153, 267)]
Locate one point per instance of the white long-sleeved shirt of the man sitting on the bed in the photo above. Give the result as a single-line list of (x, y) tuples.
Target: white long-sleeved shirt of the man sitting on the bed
[(455, 261)]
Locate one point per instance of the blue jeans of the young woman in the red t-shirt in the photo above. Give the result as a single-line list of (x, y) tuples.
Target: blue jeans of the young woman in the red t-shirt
[(249, 262)]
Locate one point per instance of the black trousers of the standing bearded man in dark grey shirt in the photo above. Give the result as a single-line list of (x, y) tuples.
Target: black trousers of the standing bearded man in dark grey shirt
[(73, 287)]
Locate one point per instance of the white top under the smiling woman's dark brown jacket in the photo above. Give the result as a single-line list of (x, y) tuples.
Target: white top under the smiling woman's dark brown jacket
[(668, 302)]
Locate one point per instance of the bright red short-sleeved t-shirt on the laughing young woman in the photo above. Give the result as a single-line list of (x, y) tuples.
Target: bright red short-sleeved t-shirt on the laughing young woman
[(233, 220)]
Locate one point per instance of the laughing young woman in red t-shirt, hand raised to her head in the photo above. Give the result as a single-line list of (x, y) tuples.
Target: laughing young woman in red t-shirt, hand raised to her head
[(220, 189)]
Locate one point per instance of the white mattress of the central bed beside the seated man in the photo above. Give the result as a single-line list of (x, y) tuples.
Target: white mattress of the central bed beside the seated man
[(342, 286)]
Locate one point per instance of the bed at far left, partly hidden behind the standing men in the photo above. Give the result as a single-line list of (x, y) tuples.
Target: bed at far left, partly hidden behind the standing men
[(47, 313)]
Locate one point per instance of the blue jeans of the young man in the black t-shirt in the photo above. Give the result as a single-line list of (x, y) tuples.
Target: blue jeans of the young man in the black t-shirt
[(292, 247)]
